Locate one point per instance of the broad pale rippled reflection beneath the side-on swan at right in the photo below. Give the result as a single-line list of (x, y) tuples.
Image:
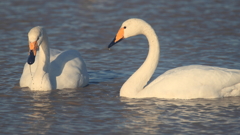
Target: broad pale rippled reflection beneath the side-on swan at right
[(152, 116)]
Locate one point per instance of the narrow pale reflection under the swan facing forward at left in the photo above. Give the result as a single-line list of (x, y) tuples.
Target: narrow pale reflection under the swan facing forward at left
[(40, 114)]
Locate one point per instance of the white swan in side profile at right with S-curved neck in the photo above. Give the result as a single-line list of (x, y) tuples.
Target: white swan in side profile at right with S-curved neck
[(187, 82)]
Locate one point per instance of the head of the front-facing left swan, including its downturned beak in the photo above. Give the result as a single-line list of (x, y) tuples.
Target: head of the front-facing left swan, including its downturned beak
[(35, 38)]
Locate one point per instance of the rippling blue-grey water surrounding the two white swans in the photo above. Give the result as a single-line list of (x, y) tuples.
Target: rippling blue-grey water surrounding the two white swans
[(190, 32)]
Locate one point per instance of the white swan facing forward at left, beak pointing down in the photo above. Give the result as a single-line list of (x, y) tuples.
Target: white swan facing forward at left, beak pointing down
[(49, 69)]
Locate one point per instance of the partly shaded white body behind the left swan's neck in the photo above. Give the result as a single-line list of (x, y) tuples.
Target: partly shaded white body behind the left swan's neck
[(68, 69)]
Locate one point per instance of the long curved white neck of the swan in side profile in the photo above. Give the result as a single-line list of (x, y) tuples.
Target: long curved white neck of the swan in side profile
[(141, 77)]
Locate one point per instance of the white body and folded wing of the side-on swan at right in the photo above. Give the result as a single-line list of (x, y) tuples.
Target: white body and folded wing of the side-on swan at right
[(194, 81)]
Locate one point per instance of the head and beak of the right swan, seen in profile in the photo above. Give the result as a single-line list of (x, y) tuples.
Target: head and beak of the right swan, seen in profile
[(129, 28)]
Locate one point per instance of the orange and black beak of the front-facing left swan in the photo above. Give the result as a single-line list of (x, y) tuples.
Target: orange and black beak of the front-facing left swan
[(32, 52)]
